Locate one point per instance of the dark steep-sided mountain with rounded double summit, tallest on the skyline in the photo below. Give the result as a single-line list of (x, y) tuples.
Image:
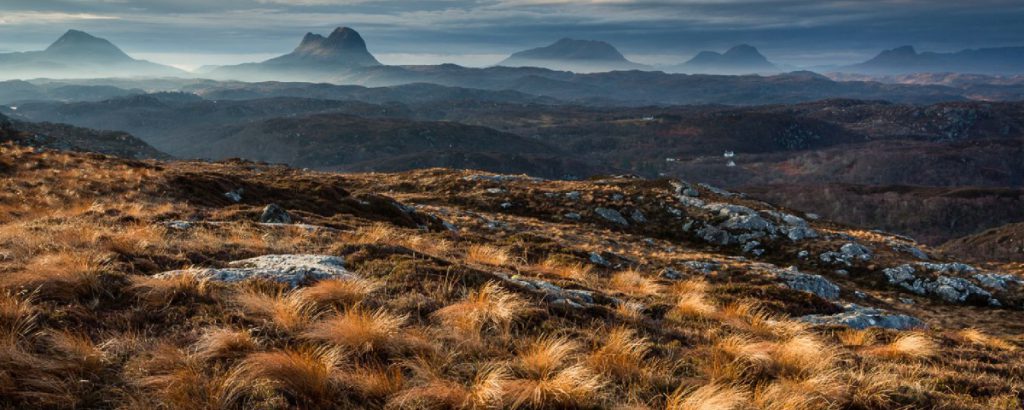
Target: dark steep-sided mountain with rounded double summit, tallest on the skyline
[(317, 56)]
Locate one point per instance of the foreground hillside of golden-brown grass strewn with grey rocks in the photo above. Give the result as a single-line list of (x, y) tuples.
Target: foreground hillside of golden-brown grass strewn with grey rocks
[(145, 284)]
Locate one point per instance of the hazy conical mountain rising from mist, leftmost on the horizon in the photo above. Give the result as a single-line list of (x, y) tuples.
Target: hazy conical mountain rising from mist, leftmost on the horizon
[(79, 55)]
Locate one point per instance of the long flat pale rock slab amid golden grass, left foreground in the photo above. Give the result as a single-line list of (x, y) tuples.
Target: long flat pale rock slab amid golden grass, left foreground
[(292, 270)]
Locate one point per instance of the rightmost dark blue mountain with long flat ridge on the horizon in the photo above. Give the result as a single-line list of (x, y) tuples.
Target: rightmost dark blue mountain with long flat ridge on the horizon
[(907, 60)]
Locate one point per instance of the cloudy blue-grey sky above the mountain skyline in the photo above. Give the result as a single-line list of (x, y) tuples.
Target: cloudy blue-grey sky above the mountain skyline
[(795, 33)]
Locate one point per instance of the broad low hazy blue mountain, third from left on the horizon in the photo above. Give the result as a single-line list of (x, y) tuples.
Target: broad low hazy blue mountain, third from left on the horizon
[(575, 56)]
